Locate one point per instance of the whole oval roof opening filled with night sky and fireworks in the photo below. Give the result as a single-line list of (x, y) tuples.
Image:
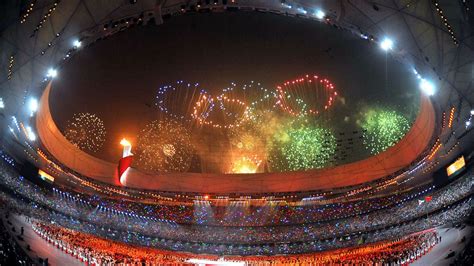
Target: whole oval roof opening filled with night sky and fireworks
[(220, 111)]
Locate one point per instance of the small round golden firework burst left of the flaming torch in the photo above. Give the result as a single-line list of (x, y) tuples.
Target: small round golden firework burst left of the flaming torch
[(86, 131)]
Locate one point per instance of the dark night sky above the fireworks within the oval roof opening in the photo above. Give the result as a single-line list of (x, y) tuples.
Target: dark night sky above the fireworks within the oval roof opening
[(117, 78)]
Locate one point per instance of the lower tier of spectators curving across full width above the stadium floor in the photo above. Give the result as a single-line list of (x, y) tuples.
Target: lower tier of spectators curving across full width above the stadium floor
[(403, 211)]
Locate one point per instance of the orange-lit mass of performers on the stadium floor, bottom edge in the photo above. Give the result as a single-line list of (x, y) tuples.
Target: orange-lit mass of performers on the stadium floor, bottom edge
[(99, 251)]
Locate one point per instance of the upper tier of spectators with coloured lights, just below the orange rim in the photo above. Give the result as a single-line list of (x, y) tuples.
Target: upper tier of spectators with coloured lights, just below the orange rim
[(234, 213)]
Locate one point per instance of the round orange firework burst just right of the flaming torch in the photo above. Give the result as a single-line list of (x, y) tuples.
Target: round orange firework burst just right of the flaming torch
[(164, 146)]
